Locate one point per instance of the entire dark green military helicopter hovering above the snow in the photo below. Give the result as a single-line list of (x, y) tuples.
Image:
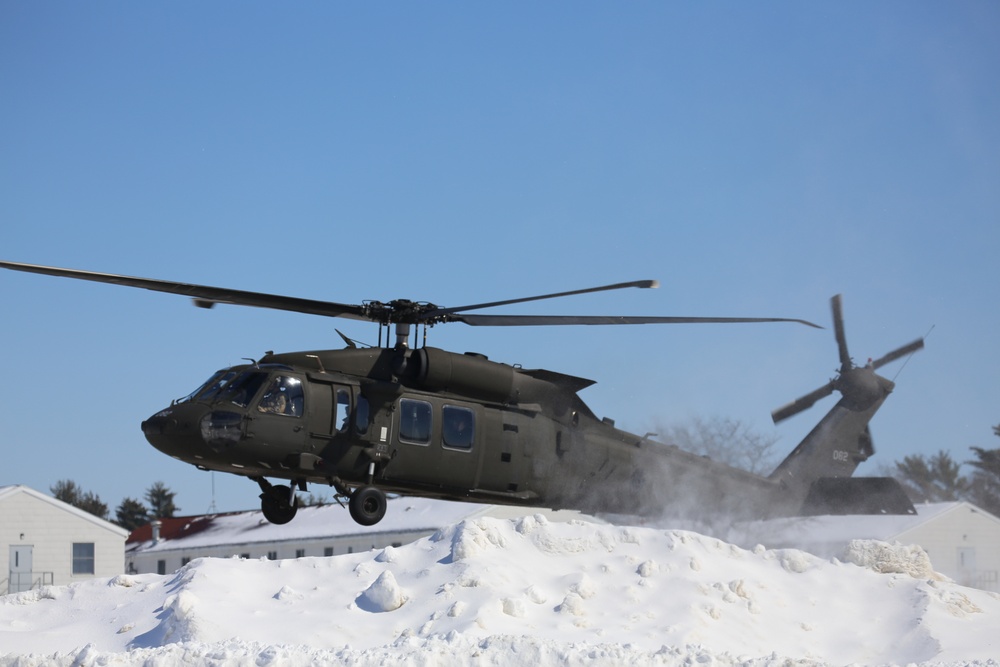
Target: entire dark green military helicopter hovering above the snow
[(427, 422)]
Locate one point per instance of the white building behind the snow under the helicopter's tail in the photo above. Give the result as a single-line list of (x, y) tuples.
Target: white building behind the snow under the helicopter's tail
[(962, 540)]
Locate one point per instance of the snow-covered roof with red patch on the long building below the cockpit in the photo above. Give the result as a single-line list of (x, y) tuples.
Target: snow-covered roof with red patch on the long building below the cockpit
[(404, 514)]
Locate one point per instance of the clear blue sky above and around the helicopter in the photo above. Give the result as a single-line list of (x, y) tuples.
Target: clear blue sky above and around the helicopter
[(756, 159)]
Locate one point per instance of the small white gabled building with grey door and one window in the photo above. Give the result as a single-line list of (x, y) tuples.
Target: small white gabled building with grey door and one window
[(44, 541)]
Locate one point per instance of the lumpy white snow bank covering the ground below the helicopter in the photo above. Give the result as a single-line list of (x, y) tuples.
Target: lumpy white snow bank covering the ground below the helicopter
[(523, 591)]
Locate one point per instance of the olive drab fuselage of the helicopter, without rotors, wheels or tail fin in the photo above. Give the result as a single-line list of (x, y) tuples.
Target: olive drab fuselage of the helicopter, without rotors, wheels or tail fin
[(437, 424)]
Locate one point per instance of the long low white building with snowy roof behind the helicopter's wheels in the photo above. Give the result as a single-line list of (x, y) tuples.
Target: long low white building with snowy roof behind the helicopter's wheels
[(326, 530)]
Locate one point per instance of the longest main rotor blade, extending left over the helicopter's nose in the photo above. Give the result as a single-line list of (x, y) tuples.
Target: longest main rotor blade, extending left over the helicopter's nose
[(203, 295)]
